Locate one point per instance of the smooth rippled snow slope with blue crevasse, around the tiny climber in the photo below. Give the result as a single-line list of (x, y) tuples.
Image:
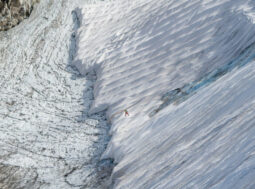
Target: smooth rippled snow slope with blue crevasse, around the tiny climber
[(185, 72)]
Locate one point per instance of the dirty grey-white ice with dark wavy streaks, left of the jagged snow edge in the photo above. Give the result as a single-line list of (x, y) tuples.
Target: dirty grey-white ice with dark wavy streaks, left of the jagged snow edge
[(47, 138)]
